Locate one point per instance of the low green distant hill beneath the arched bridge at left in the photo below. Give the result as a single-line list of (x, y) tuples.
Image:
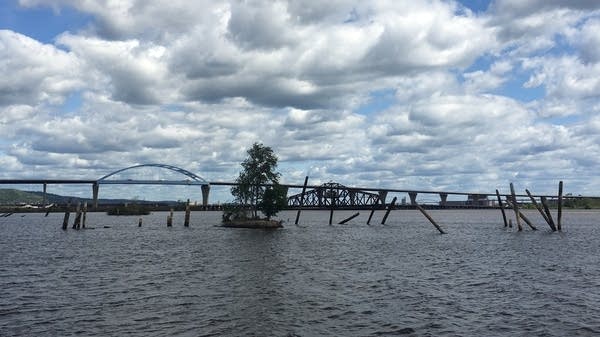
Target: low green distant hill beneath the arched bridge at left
[(13, 197)]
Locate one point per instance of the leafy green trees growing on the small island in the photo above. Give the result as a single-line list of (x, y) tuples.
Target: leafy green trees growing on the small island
[(258, 170)]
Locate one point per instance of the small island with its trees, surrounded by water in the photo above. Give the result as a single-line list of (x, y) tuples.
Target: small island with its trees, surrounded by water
[(257, 190)]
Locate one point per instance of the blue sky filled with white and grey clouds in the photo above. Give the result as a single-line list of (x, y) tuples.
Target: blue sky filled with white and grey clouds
[(429, 95)]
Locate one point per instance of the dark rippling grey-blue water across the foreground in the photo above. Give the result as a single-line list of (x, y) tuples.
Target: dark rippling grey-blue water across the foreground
[(404, 278)]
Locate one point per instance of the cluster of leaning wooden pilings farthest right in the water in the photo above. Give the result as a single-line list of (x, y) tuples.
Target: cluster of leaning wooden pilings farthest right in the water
[(543, 209)]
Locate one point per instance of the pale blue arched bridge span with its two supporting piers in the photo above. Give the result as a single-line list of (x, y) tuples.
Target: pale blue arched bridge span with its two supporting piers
[(192, 179)]
